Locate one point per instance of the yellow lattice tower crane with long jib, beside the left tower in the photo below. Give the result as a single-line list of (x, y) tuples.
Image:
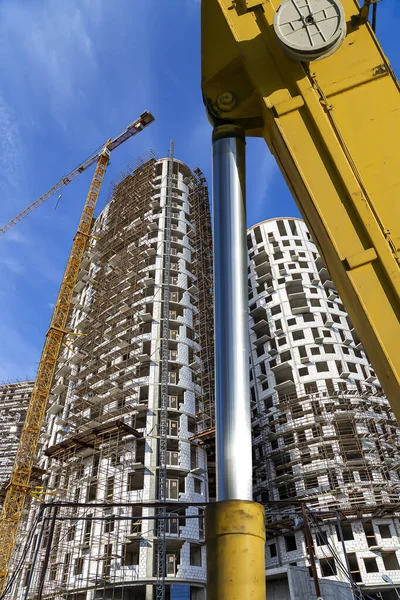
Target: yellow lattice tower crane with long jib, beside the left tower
[(19, 484)]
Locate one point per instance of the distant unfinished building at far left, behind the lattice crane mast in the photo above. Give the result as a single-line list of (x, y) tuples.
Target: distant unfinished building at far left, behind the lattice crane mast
[(14, 400)]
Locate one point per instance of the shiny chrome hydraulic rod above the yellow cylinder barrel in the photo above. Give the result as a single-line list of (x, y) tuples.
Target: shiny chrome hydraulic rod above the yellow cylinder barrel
[(233, 425)]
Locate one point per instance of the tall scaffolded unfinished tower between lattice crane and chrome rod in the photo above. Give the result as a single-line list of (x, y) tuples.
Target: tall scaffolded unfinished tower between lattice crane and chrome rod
[(134, 384)]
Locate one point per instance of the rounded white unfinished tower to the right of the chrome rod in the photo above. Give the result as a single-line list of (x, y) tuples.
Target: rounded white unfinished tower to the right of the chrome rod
[(323, 431)]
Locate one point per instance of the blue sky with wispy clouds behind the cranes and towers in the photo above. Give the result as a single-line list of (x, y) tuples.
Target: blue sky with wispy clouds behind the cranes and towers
[(73, 73)]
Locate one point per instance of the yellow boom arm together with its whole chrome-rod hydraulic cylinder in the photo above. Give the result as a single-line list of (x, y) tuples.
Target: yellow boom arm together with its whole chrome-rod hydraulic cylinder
[(310, 77)]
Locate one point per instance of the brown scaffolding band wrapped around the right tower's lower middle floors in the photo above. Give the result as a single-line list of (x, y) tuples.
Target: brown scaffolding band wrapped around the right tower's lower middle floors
[(334, 448)]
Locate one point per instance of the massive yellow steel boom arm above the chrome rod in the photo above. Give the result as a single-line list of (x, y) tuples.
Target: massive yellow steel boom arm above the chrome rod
[(311, 78)]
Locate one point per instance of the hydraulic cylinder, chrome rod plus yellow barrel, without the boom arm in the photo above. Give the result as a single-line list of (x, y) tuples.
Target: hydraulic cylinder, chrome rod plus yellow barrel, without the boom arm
[(235, 534)]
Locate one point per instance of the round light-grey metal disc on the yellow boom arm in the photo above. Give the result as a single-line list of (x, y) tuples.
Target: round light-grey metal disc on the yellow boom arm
[(310, 29)]
